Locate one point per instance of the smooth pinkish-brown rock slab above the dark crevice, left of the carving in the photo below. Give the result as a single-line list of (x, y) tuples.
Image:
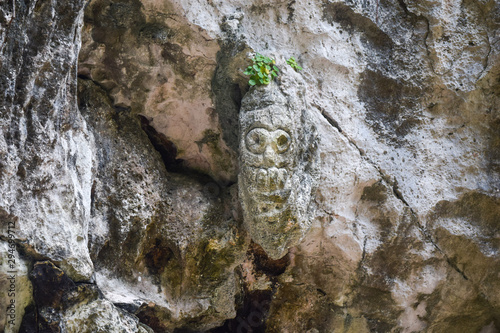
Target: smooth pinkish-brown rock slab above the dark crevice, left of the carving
[(165, 75)]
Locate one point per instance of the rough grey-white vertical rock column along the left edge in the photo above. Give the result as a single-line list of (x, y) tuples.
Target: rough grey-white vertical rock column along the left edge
[(46, 151)]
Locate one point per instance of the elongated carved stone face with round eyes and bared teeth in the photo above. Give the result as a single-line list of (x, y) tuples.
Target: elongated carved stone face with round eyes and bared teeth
[(274, 192)]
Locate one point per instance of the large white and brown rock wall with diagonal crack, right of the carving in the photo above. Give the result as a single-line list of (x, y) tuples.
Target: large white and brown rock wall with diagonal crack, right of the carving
[(407, 126)]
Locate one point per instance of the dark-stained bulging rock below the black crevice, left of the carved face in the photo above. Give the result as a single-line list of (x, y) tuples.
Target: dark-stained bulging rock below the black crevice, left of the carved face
[(164, 245)]
